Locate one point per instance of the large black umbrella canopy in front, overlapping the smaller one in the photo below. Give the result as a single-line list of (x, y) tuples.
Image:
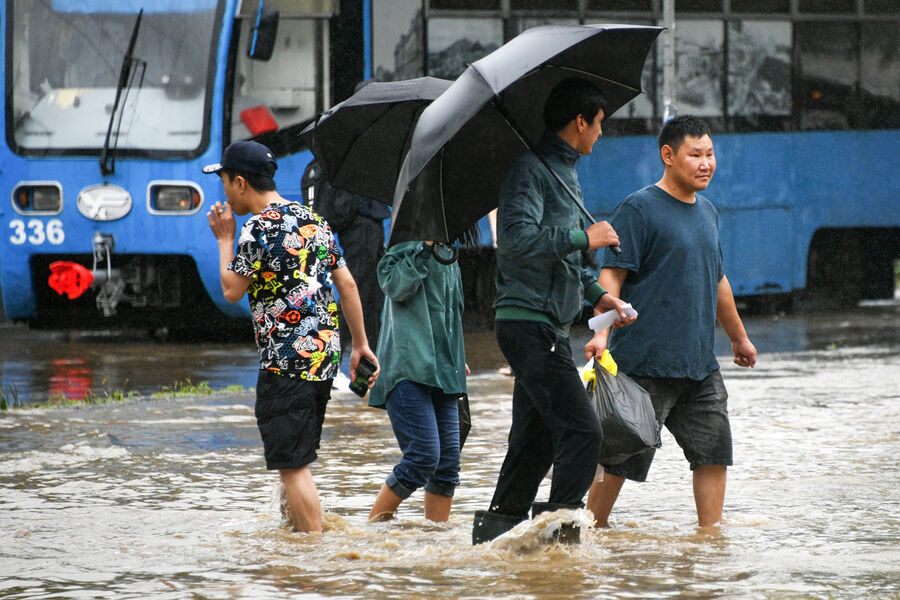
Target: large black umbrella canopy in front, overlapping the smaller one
[(464, 141)]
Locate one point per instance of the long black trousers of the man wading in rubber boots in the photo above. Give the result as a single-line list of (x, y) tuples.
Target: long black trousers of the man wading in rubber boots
[(553, 421)]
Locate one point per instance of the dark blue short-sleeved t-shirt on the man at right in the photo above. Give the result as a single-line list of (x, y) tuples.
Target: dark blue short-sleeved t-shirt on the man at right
[(672, 253)]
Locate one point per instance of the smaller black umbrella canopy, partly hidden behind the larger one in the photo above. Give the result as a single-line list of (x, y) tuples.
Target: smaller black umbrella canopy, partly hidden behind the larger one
[(360, 143)]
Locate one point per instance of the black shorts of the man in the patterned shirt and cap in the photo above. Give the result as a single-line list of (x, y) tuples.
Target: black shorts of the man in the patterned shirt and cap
[(289, 413)]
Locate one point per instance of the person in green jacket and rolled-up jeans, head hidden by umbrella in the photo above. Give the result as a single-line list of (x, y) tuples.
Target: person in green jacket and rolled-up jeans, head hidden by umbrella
[(423, 373)]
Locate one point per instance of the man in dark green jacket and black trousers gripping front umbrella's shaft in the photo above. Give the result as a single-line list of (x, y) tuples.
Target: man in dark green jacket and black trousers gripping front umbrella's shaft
[(541, 287)]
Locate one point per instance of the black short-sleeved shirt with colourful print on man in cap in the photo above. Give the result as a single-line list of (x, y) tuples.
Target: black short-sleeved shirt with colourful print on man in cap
[(289, 252)]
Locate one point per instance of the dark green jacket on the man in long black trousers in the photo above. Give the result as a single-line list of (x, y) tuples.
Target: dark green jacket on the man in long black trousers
[(540, 235)]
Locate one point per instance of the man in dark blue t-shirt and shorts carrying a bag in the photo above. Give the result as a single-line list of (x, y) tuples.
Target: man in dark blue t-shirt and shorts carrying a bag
[(670, 270)]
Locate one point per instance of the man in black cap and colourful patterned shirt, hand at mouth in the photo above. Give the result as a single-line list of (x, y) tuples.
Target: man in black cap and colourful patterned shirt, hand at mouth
[(288, 263)]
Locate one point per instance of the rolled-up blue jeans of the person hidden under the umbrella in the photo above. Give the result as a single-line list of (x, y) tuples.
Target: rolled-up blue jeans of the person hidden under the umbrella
[(426, 424)]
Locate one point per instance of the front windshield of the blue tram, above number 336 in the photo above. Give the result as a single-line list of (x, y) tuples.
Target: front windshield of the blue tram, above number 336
[(64, 68)]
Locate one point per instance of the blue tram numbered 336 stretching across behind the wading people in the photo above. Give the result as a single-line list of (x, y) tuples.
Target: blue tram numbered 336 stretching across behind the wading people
[(112, 106)]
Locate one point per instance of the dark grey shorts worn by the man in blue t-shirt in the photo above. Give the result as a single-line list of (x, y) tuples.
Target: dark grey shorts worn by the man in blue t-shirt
[(696, 413)]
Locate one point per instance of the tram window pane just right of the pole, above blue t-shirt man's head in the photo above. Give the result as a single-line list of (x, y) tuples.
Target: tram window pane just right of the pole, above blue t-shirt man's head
[(699, 63)]
